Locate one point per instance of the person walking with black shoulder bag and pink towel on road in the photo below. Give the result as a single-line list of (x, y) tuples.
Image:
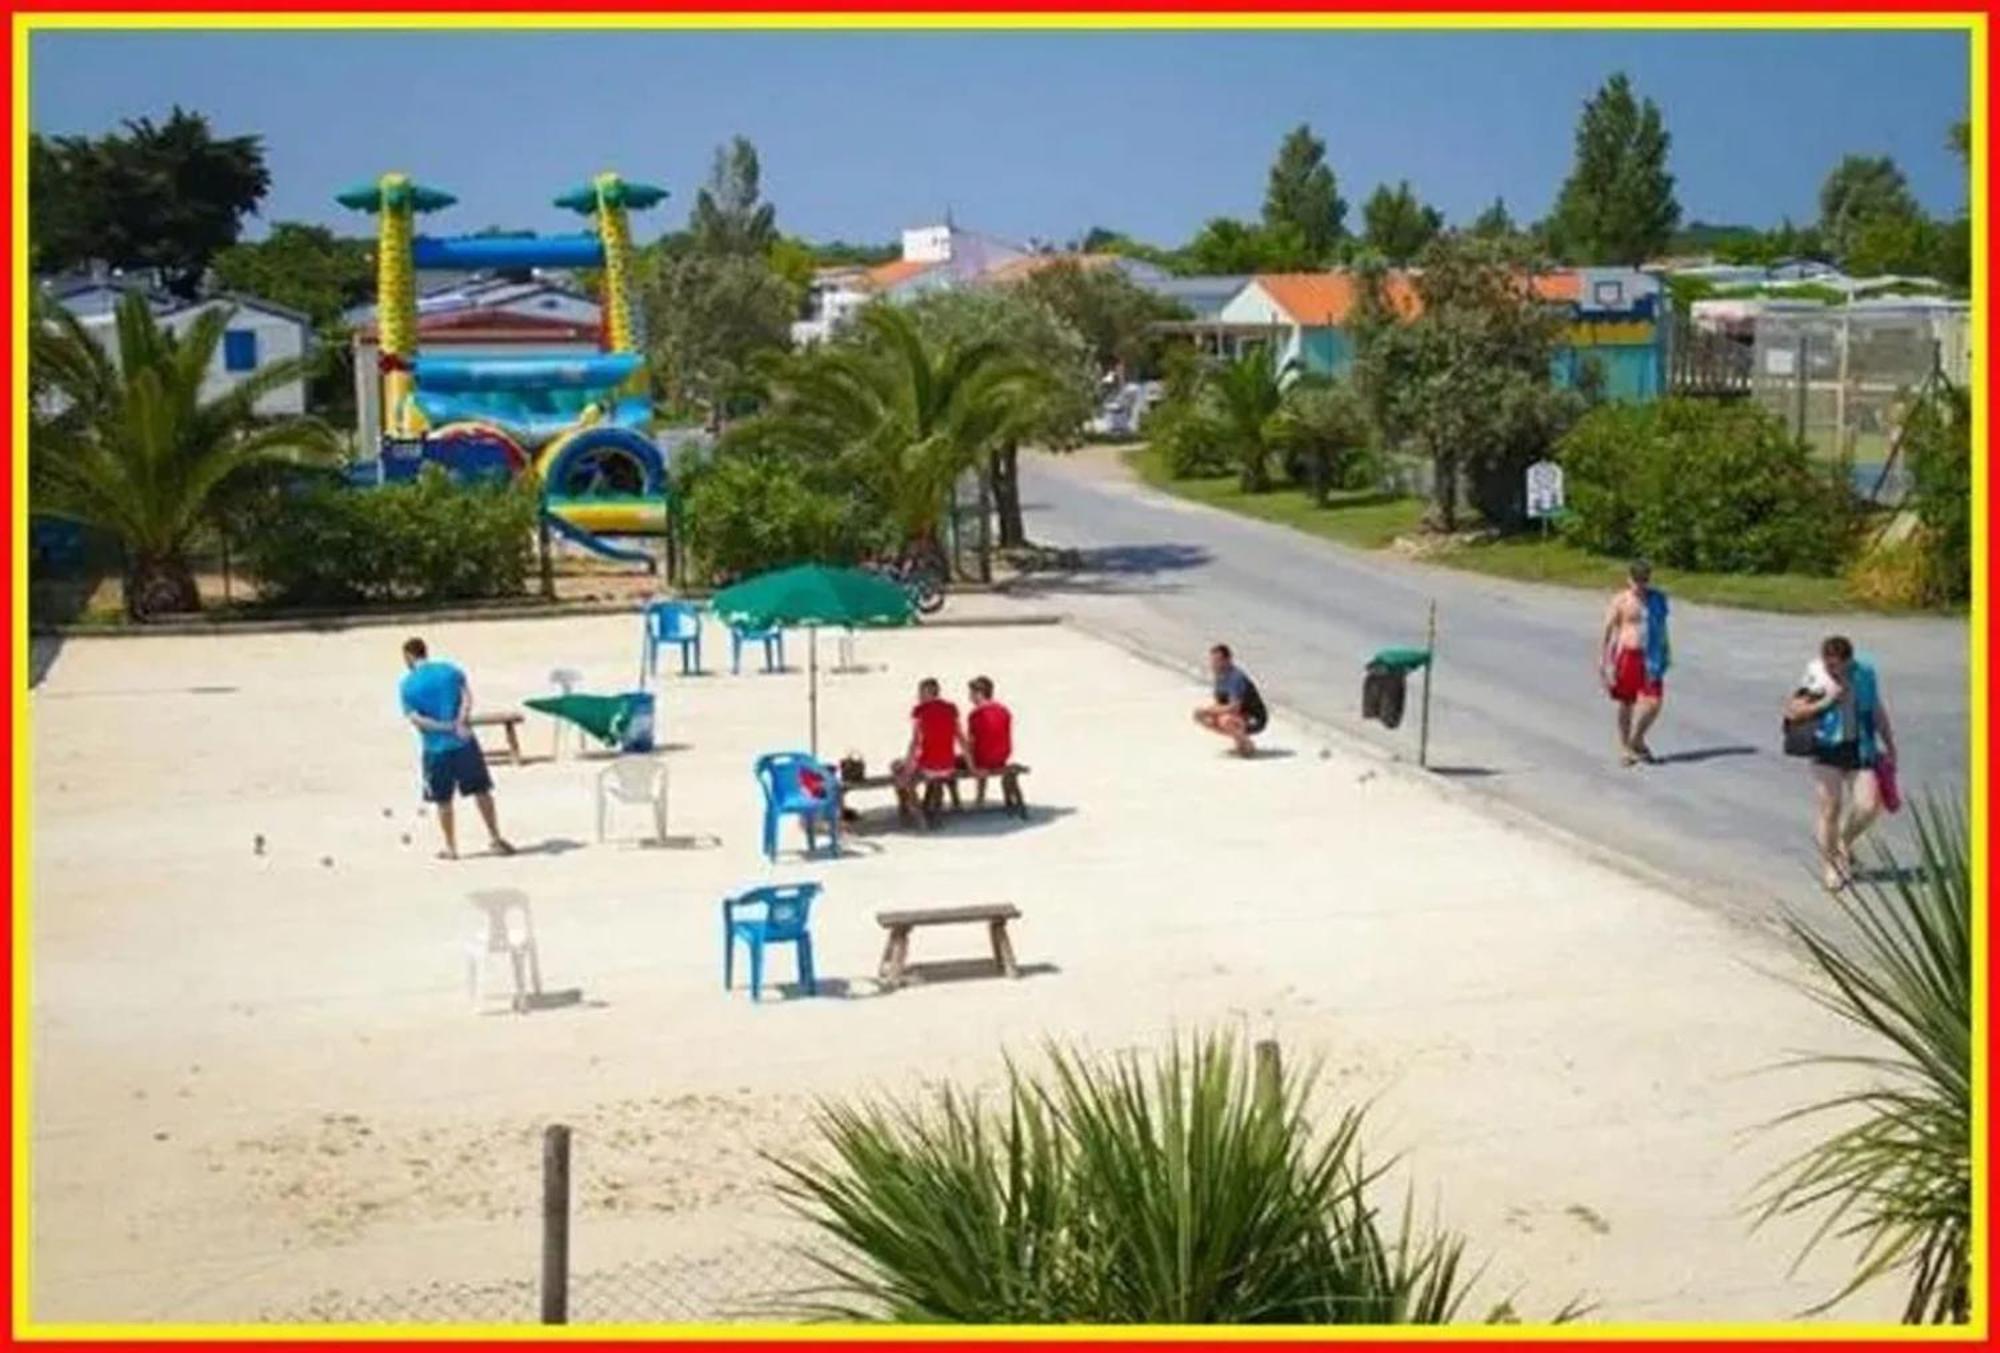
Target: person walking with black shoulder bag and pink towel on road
[(1841, 696)]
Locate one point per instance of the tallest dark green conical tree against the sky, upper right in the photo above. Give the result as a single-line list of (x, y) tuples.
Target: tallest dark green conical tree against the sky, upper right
[(1617, 205)]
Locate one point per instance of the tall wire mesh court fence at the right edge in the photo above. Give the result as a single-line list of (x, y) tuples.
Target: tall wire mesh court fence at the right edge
[(1845, 379)]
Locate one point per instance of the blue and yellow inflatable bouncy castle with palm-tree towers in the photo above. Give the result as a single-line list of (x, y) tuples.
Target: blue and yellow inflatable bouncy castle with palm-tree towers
[(575, 423)]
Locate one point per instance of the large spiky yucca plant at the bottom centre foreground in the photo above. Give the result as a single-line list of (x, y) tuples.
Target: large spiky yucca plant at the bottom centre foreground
[(1113, 1192)]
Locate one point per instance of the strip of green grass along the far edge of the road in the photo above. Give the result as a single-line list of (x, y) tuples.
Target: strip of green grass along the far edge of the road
[(1371, 521)]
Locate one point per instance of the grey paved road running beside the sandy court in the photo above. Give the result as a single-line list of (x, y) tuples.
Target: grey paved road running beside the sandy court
[(1517, 708)]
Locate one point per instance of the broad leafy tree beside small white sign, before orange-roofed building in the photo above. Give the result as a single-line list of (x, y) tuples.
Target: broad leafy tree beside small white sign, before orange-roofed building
[(1469, 381)]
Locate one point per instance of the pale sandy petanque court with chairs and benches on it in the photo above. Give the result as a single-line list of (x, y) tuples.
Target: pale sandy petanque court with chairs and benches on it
[(261, 1090)]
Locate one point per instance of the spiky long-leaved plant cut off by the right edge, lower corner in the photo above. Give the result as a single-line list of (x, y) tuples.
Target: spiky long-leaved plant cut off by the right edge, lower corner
[(1897, 1172)]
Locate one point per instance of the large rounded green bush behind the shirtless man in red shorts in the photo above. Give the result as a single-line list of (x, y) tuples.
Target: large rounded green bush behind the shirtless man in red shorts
[(1703, 485)]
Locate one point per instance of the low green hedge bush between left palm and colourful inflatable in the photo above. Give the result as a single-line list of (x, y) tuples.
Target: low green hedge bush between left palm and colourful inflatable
[(427, 541)]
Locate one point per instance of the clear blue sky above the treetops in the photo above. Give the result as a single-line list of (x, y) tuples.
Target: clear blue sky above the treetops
[(1023, 135)]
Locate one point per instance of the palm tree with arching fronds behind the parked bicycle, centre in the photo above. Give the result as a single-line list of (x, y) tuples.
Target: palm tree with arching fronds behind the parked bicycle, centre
[(909, 417)]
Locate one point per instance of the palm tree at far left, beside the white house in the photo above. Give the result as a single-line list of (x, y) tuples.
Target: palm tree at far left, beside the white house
[(129, 445)]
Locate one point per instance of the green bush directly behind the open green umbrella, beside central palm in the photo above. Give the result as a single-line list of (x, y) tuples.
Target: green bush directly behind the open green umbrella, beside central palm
[(749, 513)]
